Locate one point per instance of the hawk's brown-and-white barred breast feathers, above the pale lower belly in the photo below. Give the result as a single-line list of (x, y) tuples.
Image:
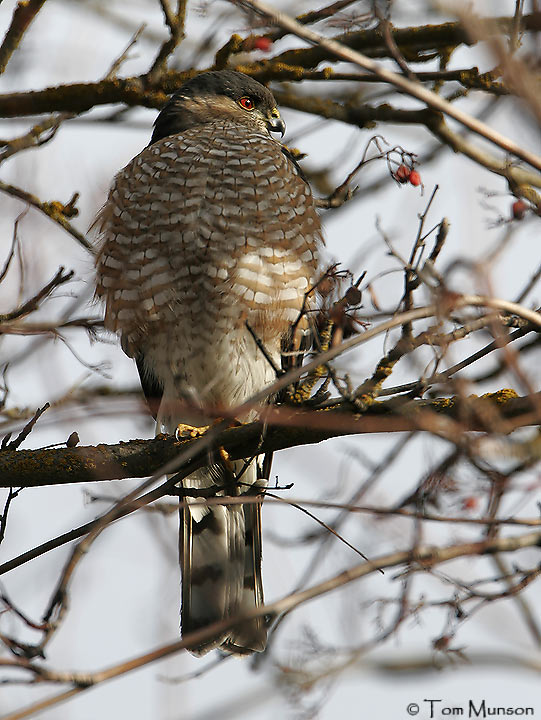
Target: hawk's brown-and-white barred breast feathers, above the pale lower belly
[(184, 191)]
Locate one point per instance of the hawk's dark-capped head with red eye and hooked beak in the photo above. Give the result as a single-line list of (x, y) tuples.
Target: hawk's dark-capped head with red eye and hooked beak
[(219, 94)]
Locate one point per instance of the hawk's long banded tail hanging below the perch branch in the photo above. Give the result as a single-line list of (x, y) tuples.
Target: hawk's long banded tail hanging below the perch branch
[(220, 560)]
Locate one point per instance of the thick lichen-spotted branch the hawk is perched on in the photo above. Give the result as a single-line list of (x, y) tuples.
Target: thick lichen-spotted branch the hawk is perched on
[(287, 428)]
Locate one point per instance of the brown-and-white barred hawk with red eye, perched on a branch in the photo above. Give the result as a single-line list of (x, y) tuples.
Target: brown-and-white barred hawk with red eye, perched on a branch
[(209, 231)]
